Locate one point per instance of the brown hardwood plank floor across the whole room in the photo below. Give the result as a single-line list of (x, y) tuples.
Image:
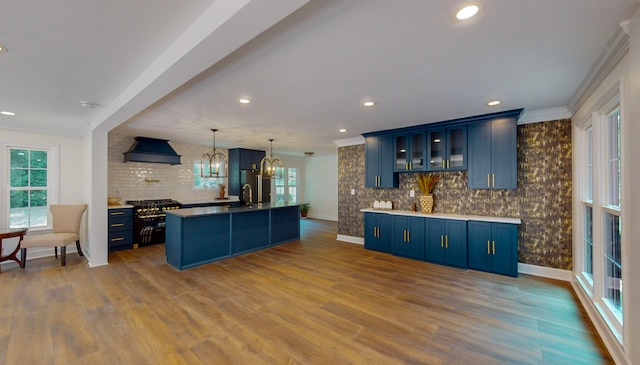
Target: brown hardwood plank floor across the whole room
[(314, 301)]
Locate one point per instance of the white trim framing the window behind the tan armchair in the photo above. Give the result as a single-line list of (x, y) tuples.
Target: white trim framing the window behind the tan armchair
[(53, 181)]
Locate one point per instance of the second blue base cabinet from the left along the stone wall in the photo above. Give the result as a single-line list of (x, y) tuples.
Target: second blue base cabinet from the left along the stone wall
[(409, 237)]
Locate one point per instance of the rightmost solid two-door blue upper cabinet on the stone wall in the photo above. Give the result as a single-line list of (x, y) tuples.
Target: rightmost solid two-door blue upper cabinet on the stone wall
[(493, 156)]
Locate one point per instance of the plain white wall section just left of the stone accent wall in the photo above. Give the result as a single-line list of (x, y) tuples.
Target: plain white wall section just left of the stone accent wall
[(321, 186)]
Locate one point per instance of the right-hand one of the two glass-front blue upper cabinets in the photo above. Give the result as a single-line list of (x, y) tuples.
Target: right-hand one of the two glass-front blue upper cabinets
[(447, 148)]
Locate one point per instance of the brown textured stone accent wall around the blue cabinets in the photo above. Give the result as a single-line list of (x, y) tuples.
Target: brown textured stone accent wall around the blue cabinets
[(542, 200)]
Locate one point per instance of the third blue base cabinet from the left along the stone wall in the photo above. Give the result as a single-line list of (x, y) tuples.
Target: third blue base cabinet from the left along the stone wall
[(447, 242)]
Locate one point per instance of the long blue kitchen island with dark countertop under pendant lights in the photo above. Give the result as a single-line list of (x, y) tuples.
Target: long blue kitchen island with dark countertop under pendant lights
[(197, 236)]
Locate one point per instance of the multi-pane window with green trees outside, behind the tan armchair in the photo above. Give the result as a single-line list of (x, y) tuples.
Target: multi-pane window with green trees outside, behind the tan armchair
[(29, 190)]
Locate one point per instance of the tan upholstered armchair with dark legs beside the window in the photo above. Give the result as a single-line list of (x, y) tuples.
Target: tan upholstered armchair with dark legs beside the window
[(66, 230)]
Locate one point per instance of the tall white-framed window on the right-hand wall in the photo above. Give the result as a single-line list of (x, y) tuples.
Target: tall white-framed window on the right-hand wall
[(598, 177)]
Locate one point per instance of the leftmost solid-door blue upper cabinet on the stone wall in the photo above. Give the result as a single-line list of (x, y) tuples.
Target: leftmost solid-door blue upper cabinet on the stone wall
[(379, 162)]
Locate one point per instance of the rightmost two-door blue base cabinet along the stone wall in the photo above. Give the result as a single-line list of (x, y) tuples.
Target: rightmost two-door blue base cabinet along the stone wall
[(493, 247)]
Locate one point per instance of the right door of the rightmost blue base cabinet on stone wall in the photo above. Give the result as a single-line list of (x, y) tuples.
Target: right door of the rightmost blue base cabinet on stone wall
[(505, 255)]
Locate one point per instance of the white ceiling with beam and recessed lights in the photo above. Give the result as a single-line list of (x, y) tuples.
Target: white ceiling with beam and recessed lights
[(175, 69)]
